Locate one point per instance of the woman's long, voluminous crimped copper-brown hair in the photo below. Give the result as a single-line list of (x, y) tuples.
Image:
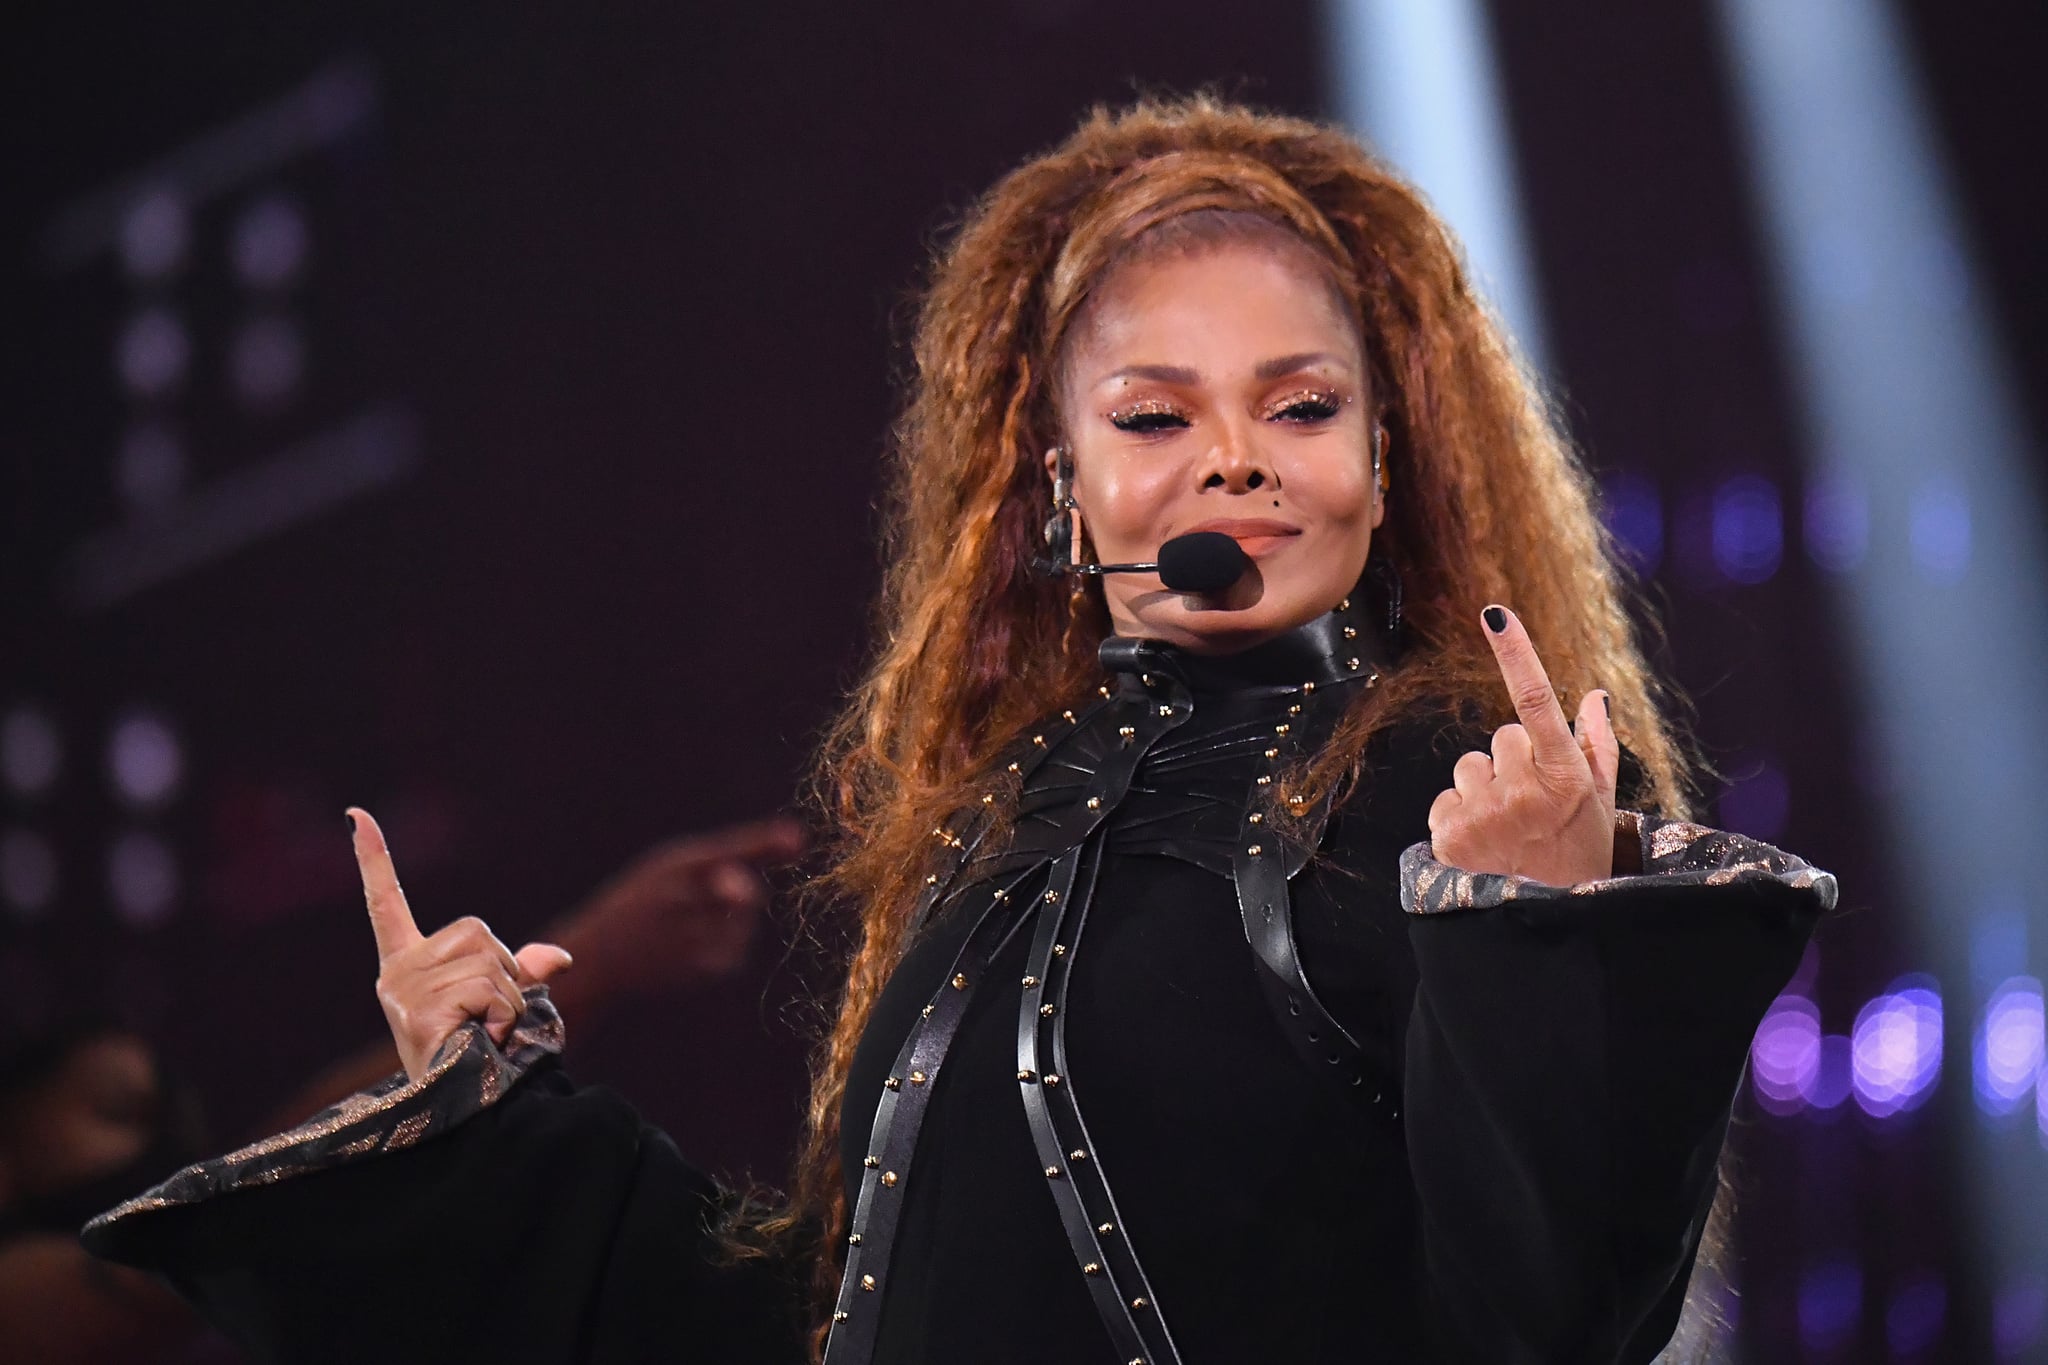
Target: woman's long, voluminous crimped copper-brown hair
[(1488, 504)]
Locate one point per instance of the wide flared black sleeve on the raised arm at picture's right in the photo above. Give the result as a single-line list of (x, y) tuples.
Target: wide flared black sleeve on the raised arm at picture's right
[(1570, 1067)]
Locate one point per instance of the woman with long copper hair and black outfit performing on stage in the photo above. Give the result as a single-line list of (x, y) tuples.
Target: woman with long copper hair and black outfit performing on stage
[(1369, 1051)]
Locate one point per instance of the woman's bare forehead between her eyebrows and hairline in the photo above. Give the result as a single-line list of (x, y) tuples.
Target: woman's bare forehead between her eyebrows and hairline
[(1230, 302)]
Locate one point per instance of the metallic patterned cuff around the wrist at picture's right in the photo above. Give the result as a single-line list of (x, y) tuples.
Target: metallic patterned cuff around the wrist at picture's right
[(1674, 854)]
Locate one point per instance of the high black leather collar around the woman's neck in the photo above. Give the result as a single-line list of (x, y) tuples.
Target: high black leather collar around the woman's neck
[(1332, 648)]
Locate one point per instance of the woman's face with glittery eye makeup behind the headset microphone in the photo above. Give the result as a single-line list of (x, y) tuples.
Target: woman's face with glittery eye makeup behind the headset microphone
[(1224, 390)]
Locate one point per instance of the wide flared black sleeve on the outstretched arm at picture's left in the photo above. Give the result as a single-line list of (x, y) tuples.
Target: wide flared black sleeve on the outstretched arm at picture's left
[(486, 1213)]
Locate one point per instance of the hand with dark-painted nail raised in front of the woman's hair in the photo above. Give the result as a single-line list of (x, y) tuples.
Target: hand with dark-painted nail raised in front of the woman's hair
[(1543, 803)]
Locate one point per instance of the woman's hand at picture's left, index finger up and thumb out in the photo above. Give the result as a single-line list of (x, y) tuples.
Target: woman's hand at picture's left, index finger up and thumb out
[(433, 985)]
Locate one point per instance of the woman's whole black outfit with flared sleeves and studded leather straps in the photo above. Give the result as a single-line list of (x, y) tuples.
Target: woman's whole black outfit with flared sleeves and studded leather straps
[(1152, 1086)]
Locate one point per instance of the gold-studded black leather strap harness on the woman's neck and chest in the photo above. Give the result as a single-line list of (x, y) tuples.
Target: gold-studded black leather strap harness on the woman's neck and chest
[(1074, 775)]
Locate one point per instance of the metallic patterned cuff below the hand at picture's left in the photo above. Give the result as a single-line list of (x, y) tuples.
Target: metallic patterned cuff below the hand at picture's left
[(468, 1077)]
